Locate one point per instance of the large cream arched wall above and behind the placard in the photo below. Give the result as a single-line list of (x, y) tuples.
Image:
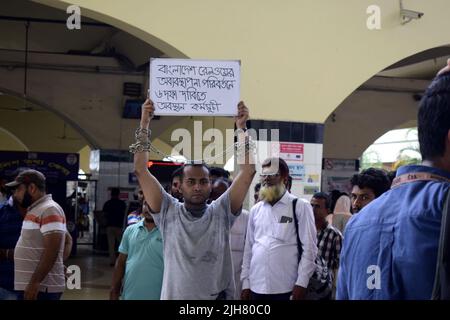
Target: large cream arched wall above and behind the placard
[(309, 65)]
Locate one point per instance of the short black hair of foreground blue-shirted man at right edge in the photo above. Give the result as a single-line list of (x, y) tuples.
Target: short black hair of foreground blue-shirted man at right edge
[(434, 118)]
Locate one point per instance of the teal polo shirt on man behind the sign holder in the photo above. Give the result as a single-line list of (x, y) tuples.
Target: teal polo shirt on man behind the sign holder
[(144, 267)]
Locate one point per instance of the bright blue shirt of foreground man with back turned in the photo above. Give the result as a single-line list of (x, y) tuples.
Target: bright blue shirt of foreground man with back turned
[(390, 247)]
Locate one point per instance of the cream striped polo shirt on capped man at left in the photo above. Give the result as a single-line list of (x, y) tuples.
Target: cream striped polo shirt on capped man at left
[(43, 217)]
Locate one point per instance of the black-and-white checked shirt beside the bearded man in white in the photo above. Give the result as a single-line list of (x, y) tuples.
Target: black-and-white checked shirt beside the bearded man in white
[(329, 242)]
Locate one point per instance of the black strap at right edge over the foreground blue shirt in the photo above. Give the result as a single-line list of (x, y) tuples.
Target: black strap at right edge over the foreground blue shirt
[(441, 288)]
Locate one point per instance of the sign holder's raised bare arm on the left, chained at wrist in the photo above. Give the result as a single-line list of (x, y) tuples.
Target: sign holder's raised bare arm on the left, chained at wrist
[(149, 184)]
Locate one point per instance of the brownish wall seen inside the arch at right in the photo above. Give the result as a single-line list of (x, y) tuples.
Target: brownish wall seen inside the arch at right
[(381, 104)]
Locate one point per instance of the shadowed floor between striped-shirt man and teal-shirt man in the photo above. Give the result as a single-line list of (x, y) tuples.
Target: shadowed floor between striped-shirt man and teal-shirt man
[(96, 276)]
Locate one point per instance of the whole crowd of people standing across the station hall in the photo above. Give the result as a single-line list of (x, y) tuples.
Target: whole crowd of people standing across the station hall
[(193, 240)]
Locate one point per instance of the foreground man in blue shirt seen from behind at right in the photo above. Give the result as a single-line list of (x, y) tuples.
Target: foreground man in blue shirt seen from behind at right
[(390, 247)]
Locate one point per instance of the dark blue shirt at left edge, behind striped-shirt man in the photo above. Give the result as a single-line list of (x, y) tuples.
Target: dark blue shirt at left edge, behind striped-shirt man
[(10, 228)]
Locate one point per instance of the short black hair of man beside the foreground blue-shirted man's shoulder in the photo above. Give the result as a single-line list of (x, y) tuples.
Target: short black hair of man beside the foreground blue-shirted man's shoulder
[(375, 179)]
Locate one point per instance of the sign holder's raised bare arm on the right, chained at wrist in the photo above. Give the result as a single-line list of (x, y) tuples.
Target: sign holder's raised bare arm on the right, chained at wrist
[(241, 183)]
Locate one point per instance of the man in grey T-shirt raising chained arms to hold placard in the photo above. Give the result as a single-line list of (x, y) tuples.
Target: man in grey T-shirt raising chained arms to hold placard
[(196, 236)]
